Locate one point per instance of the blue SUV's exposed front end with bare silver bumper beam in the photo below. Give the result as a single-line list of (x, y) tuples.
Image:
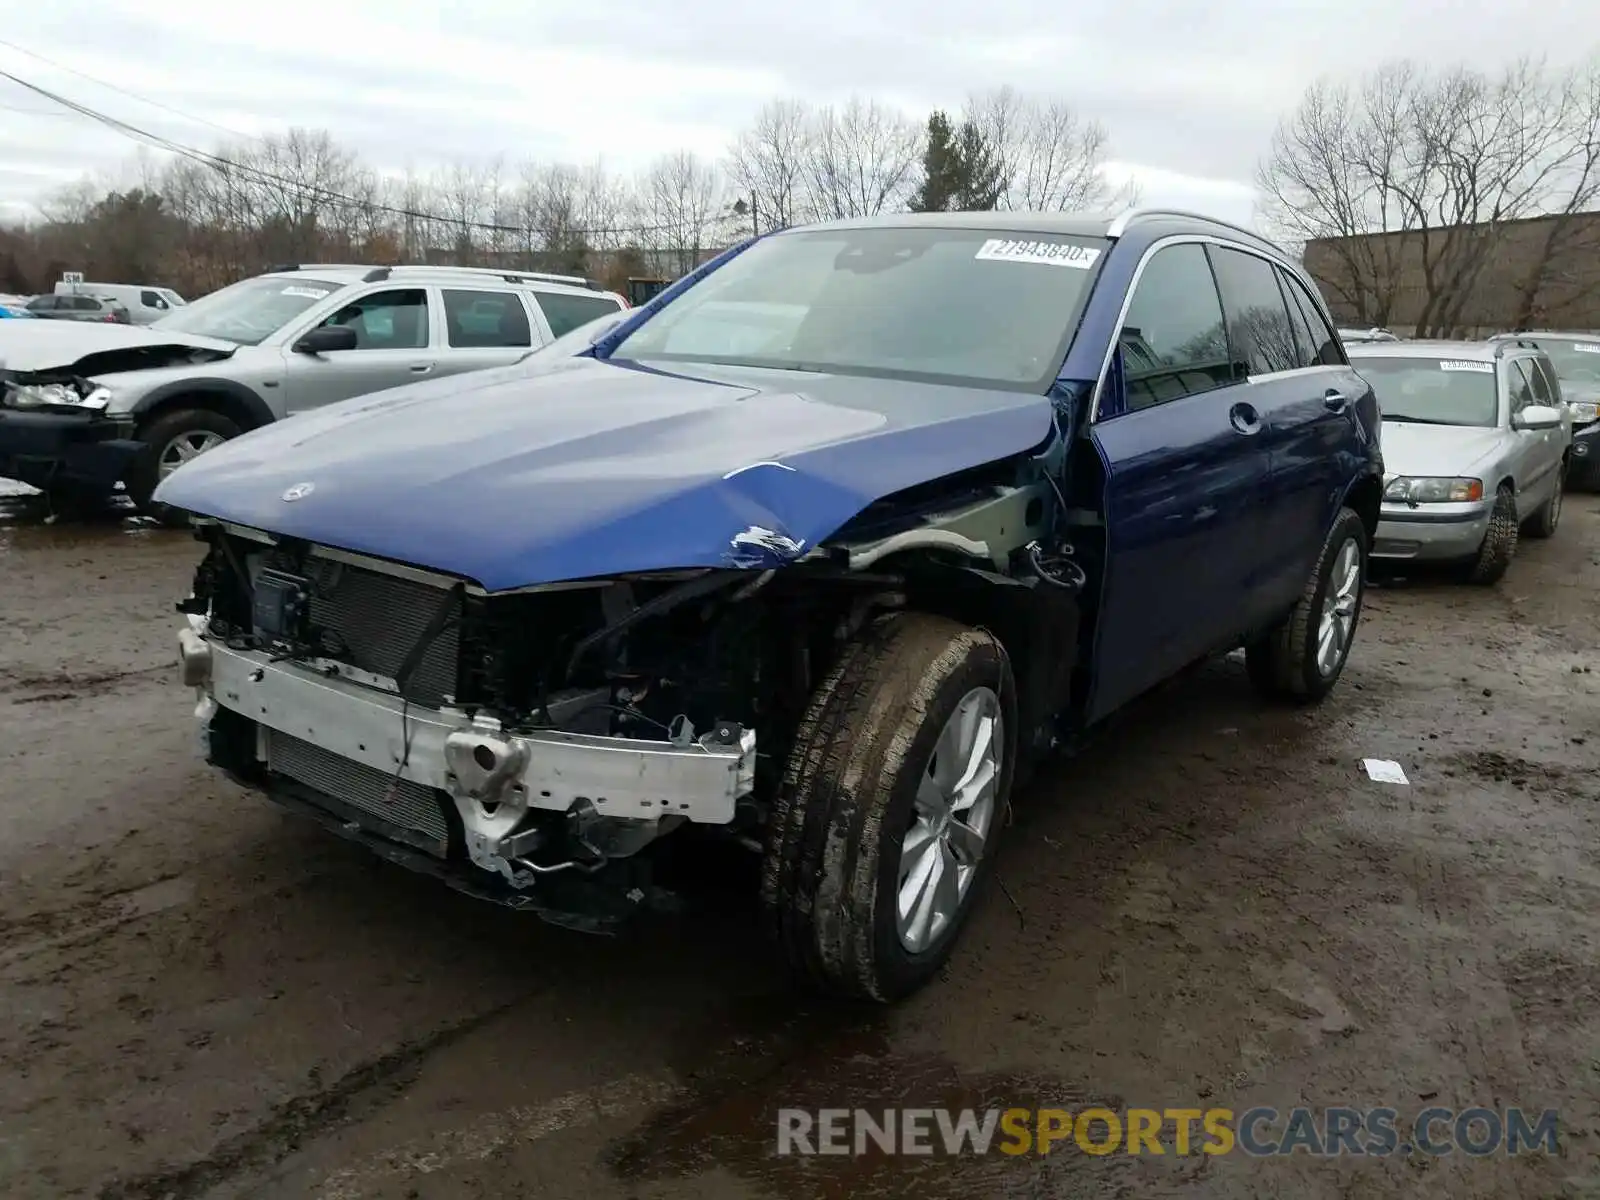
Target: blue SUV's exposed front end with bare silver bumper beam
[(575, 724)]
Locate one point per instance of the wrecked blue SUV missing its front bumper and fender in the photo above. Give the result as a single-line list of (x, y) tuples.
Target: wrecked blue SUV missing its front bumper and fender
[(830, 591)]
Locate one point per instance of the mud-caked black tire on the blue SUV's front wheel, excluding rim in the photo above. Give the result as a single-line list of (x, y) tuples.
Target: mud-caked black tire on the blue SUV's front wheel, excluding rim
[(830, 878)]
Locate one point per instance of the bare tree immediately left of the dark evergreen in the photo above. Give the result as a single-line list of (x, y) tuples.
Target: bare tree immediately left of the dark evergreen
[(863, 161)]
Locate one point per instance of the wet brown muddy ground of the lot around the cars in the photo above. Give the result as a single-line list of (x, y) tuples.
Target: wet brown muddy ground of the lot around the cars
[(1214, 906)]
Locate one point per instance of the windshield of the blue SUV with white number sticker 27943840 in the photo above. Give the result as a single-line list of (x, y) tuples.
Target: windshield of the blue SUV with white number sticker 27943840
[(943, 305)]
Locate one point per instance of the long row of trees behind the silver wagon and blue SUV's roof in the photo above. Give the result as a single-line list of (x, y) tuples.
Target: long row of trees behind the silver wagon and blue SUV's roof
[(198, 222)]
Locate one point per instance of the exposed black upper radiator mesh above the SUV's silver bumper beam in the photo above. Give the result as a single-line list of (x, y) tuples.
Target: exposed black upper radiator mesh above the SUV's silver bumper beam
[(380, 618)]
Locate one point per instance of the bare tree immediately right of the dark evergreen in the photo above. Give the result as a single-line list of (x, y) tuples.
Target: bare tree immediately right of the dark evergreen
[(1052, 158)]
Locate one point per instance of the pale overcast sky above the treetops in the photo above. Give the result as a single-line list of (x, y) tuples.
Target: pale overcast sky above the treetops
[(1190, 92)]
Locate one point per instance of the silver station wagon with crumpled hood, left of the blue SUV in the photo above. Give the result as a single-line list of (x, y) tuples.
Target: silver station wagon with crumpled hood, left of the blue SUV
[(90, 409)]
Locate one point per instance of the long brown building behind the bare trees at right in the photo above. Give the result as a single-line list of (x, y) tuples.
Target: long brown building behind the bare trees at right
[(1382, 279)]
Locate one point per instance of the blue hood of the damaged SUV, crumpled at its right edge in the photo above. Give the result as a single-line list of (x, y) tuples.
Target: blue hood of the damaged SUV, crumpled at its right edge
[(588, 468)]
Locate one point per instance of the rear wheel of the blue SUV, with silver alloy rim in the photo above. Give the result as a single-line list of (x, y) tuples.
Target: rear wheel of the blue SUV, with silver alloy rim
[(1305, 655)]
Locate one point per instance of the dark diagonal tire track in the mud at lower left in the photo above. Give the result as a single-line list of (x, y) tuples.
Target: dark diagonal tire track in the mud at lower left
[(358, 1094)]
